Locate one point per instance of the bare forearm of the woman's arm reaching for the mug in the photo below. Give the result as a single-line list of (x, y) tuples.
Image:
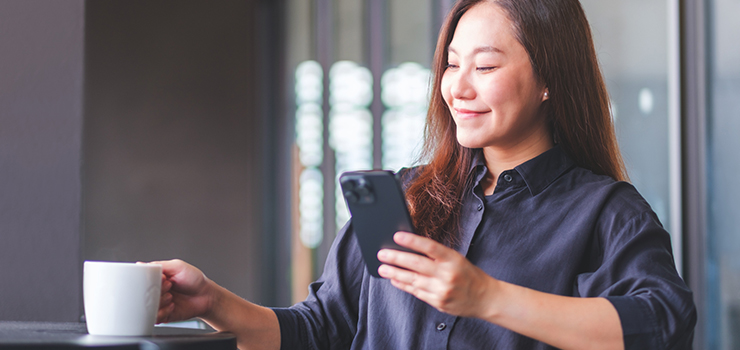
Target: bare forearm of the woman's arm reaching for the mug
[(255, 327)]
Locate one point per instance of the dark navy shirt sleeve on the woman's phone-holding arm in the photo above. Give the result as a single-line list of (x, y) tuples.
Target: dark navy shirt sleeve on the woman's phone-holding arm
[(638, 276)]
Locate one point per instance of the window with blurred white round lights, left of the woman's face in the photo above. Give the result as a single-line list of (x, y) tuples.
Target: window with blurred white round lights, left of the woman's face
[(361, 93)]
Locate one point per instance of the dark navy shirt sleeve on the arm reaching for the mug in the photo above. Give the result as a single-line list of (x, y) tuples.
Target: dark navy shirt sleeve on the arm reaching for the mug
[(327, 319)]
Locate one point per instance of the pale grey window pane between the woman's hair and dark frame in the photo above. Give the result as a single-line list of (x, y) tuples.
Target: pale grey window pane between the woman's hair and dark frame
[(633, 41)]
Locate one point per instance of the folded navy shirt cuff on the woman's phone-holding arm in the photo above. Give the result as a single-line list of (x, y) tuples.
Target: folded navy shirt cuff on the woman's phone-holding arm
[(639, 325)]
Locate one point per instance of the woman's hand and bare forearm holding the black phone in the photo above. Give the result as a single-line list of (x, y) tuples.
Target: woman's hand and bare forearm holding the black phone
[(447, 281)]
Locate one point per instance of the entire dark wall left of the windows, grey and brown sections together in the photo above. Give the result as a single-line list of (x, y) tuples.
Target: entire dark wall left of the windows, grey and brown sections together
[(139, 130)]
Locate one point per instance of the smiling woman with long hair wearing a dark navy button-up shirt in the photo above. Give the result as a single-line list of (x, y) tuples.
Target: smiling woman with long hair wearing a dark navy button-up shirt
[(530, 239)]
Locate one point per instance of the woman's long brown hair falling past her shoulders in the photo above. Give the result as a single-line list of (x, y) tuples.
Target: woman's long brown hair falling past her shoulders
[(557, 38)]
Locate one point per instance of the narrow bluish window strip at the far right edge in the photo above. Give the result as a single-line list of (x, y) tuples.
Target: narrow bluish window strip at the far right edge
[(723, 231)]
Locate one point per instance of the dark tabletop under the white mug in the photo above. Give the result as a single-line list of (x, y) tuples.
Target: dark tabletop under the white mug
[(72, 335)]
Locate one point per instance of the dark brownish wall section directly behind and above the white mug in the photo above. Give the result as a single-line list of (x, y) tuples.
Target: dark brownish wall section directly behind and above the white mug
[(174, 137)]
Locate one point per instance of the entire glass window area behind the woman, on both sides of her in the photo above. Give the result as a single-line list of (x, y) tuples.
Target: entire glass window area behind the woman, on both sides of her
[(366, 64)]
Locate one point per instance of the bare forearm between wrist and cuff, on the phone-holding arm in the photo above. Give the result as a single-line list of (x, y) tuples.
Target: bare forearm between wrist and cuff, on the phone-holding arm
[(563, 322)]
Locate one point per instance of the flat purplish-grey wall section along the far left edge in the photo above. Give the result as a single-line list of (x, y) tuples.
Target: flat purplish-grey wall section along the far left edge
[(41, 77)]
